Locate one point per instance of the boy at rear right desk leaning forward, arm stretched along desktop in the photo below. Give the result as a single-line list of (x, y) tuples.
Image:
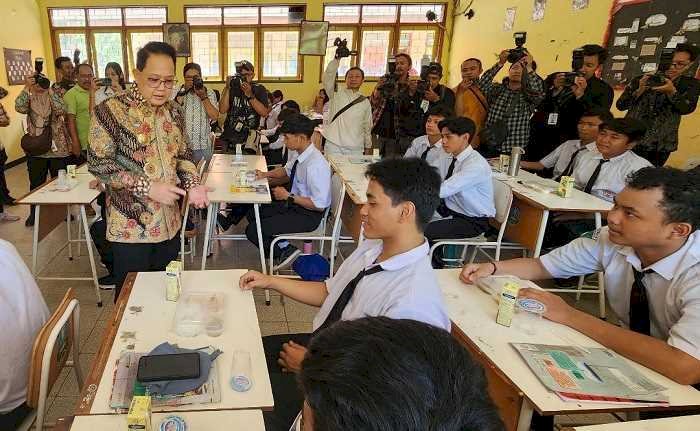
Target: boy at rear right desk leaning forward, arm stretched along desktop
[(562, 159)]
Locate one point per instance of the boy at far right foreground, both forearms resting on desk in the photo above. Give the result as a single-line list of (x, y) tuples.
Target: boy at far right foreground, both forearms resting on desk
[(650, 253)]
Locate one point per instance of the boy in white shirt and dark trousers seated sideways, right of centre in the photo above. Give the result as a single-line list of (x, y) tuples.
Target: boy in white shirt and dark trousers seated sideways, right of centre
[(466, 194)]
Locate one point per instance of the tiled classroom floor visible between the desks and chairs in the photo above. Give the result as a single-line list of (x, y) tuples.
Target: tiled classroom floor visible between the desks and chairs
[(278, 318)]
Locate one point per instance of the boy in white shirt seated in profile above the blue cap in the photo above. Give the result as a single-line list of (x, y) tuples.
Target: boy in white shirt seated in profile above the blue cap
[(301, 208)]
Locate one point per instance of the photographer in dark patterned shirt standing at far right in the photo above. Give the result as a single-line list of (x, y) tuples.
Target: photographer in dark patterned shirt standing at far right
[(660, 99)]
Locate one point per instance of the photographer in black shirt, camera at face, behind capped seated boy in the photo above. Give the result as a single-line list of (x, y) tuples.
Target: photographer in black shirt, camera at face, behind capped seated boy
[(244, 102)]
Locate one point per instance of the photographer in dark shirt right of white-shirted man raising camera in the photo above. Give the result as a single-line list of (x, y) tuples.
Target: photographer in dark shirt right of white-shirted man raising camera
[(396, 112)]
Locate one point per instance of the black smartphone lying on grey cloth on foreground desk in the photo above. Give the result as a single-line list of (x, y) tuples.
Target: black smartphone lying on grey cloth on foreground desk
[(176, 366)]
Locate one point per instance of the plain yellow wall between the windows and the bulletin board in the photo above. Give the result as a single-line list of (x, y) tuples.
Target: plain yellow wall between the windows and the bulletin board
[(551, 41)]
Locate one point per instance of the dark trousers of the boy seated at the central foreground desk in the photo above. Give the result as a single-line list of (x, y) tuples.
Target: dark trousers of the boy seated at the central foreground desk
[(285, 390)]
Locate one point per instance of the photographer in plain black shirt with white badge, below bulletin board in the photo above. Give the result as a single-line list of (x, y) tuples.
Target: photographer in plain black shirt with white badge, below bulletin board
[(569, 95)]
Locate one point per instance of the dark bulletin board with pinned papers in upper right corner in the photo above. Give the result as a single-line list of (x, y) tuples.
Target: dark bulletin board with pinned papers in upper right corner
[(639, 29)]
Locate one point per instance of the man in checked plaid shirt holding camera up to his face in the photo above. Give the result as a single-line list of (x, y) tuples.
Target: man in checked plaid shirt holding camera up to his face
[(514, 100)]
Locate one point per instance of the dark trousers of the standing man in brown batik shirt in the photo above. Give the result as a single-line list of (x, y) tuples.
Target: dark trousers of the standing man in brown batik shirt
[(142, 258)]
